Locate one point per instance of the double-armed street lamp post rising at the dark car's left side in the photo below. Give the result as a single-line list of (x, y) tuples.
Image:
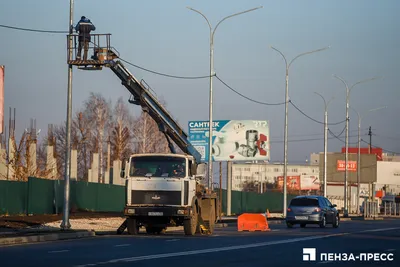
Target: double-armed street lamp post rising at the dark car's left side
[(286, 120)]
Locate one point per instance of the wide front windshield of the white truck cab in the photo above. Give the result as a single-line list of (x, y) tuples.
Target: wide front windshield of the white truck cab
[(152, 166)]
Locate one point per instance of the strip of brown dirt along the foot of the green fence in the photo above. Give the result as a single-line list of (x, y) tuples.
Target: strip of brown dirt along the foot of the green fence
[(21, 222)]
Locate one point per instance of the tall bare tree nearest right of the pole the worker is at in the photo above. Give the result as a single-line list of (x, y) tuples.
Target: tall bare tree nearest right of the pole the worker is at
[(98, 111)]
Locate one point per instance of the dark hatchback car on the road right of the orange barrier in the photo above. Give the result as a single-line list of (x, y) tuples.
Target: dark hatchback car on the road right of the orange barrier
[(305, 210)]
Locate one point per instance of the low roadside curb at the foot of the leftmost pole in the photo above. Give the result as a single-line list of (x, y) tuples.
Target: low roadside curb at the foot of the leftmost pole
[(44, 237)]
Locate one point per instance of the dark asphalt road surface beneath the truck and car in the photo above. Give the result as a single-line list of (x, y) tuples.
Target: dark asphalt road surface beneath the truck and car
[(279, 247)]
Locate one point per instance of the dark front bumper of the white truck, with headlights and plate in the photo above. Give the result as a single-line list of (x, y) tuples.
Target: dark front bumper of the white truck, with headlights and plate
[(138, 211)]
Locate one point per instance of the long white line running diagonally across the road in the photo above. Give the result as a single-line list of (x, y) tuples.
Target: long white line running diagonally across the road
[(221, 249)]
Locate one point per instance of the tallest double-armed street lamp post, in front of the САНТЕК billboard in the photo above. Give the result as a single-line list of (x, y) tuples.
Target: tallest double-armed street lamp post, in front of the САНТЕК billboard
[(212, 32)]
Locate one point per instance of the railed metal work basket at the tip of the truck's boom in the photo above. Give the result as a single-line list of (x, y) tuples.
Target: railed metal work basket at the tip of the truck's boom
[(99, 52)]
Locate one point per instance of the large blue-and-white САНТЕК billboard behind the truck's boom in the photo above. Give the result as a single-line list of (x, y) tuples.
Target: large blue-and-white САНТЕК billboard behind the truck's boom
[(232, 140)]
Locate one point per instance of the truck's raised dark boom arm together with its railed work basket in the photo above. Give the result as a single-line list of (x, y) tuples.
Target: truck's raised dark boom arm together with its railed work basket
[(103, 55)]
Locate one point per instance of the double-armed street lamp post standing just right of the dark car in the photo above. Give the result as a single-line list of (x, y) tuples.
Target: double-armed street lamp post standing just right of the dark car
[(348, 90)]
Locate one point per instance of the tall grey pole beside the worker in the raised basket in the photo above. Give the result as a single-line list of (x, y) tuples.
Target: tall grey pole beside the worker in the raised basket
[(65, 222)]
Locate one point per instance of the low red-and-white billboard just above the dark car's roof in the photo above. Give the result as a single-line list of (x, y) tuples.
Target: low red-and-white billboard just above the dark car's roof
[(302, 182)]
